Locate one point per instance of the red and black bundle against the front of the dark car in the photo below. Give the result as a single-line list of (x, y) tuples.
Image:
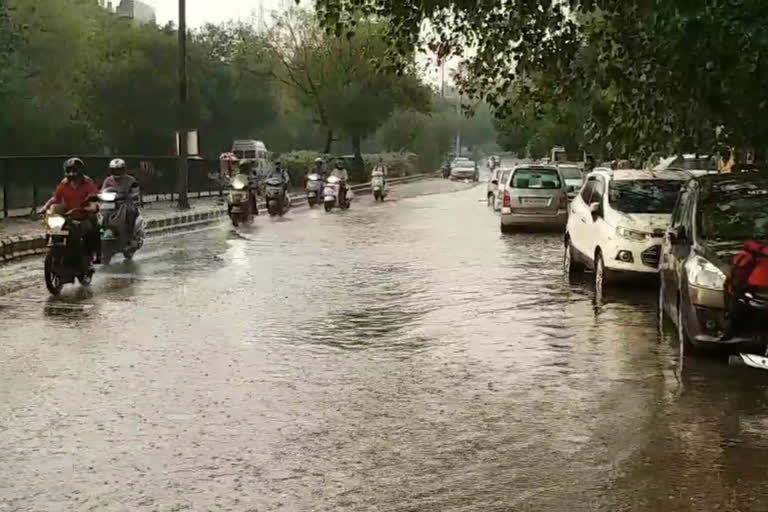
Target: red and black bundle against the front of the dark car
[(746, 288)]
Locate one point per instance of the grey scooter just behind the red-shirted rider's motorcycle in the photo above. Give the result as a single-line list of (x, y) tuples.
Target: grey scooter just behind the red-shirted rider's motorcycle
[(116, 234)]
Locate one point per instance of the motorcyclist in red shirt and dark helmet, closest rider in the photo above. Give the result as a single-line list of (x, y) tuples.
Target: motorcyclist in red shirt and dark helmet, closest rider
[(79, 194)]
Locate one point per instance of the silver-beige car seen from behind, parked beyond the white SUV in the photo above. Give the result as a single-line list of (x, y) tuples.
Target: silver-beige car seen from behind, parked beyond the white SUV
[(534, 196)]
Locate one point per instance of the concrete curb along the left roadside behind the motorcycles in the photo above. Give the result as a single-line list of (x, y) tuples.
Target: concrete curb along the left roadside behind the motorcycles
[(18, 247)]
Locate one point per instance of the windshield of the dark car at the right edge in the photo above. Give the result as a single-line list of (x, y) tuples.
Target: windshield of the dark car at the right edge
[(734, 212)]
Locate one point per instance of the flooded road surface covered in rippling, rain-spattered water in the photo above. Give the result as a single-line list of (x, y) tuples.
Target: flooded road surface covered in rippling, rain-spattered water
[(398, 357)]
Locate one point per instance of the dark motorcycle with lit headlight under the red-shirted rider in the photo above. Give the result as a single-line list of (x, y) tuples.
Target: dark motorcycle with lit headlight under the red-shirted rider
[(68, 257)]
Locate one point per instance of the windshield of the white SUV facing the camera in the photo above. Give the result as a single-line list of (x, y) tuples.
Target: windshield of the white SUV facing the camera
[(644, 196)]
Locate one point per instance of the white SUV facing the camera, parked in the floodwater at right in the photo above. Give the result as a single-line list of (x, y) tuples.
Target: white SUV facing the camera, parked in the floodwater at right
[(617, 222)]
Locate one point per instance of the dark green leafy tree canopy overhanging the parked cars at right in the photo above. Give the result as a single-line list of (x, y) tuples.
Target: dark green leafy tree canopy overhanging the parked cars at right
[(655, 76)]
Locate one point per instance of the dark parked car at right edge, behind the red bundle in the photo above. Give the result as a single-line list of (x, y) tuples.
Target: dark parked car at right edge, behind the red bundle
[(714, 217)]
